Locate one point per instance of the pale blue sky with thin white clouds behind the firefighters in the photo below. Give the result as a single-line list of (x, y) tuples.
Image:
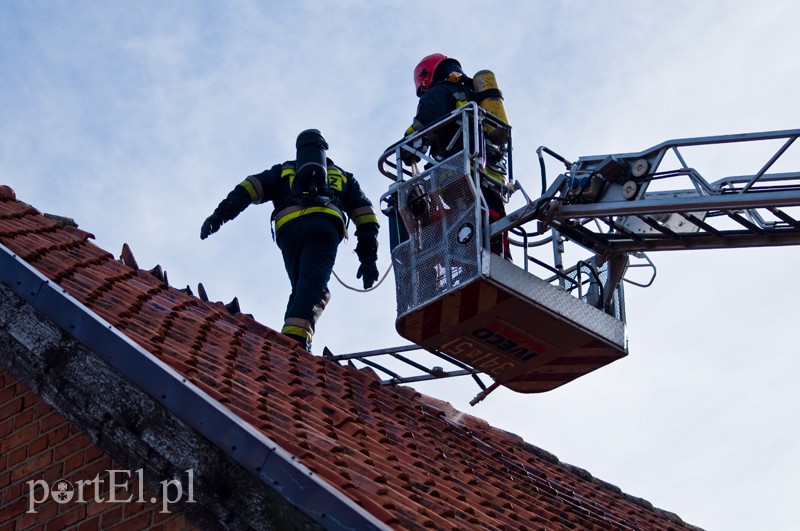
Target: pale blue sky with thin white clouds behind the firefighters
[(137, 118)]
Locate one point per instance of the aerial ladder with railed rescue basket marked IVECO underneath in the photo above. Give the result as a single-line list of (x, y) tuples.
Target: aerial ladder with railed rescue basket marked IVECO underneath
[(532, 323)]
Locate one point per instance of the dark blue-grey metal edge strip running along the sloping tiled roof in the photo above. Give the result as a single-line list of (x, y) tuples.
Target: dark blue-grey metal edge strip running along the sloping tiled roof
[(275, 467)]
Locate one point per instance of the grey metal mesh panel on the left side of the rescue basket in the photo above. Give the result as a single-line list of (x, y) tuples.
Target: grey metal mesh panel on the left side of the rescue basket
[(439, 211)]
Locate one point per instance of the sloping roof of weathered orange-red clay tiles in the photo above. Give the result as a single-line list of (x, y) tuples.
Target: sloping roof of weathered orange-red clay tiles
[(409, 459)]
